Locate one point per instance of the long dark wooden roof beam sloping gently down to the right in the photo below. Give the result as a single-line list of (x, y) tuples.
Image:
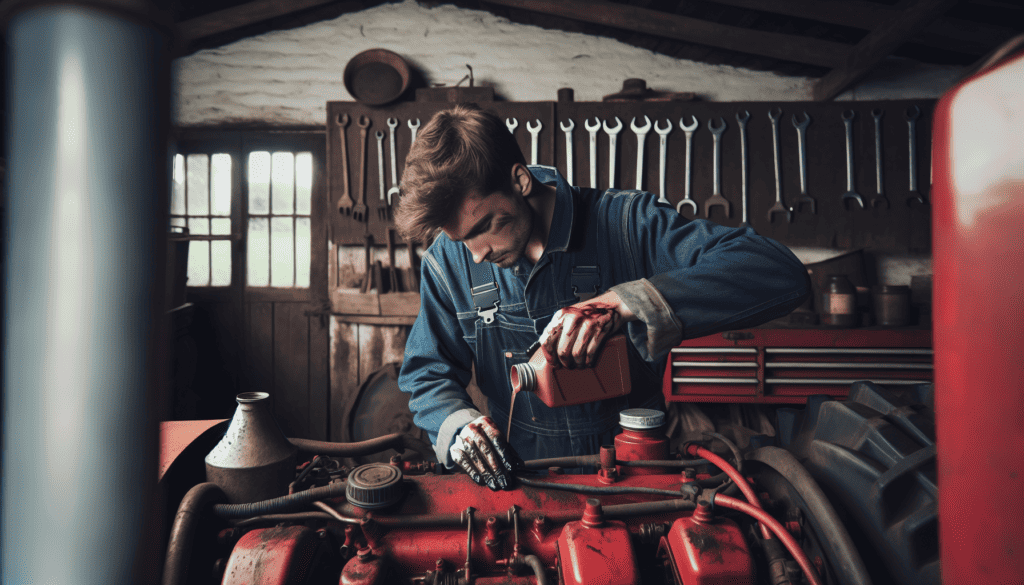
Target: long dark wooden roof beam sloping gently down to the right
[(777, 46)]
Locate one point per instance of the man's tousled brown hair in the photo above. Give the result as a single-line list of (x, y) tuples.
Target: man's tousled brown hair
[(461, 152)]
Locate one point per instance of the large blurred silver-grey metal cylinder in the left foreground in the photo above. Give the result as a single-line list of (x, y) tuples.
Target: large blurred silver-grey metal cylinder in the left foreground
[(83, 294)]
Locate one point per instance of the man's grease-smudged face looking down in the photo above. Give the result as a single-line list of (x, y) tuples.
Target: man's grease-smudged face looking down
[(495, 229)]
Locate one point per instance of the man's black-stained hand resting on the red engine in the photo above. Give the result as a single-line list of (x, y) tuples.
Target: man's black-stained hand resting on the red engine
[(483, 452)]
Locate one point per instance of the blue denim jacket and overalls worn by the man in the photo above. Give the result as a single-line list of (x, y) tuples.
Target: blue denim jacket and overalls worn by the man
[(684, 279)]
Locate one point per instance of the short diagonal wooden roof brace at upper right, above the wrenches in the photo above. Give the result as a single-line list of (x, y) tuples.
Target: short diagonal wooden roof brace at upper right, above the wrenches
[(878, 45)]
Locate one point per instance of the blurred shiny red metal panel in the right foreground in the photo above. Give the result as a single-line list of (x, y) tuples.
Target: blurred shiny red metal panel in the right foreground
[(978, 201)]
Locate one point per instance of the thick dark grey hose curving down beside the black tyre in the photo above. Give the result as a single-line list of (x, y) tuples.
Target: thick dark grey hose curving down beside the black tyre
[(849, 566)]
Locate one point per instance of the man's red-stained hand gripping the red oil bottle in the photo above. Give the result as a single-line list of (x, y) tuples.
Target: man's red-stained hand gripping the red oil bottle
[(577, 332)]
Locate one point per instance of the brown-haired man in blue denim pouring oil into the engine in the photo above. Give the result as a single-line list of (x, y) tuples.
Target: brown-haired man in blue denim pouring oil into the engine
[(516, 247)]
